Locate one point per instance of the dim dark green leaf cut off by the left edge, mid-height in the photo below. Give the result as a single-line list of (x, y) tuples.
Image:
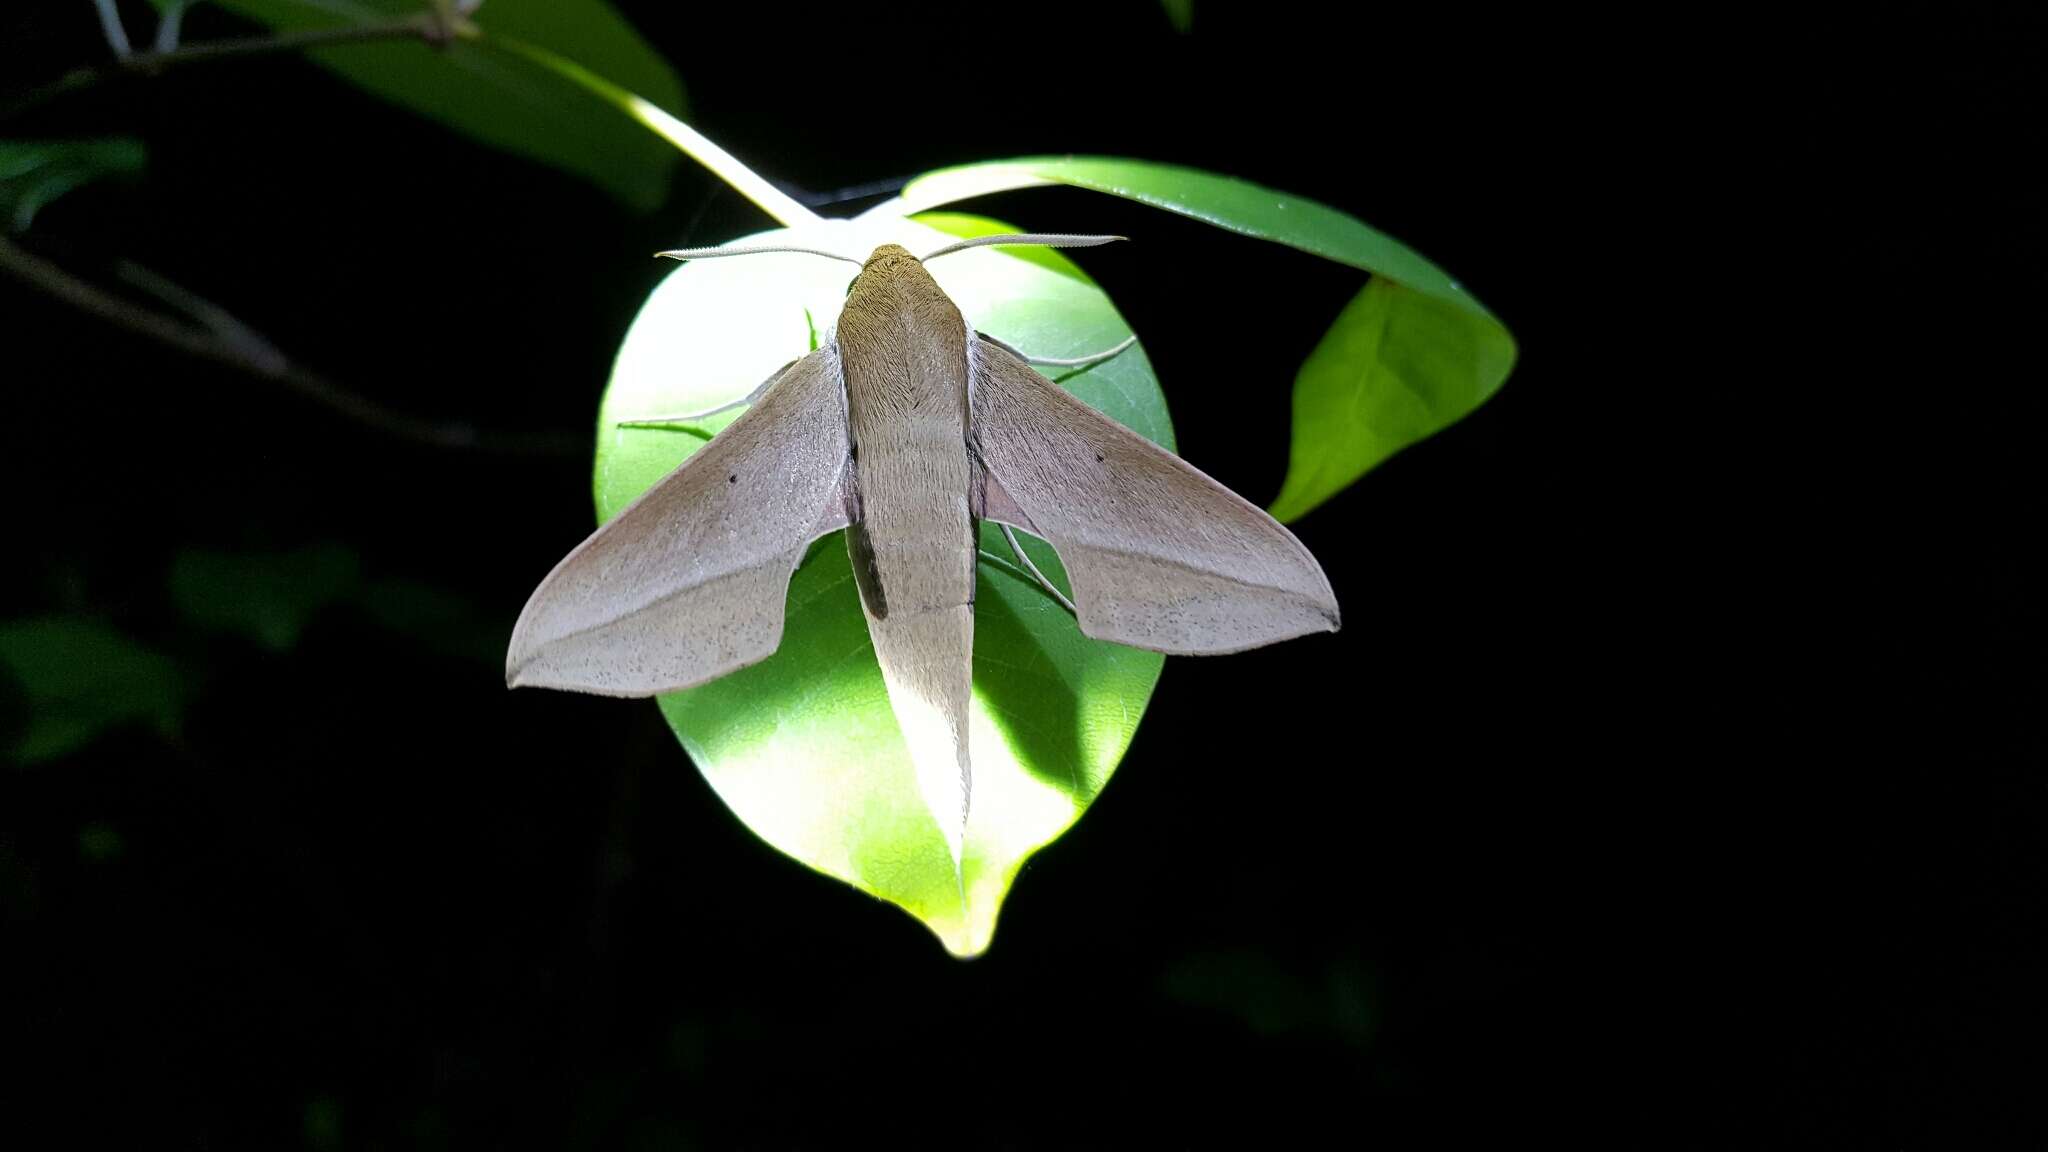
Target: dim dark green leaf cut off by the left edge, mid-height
[(85, 680)]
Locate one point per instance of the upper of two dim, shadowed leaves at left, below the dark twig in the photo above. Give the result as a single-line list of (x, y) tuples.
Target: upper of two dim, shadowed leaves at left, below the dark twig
[(265, 598)]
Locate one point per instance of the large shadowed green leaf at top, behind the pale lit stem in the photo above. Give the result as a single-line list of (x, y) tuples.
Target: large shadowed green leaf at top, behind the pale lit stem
[(507, 99)]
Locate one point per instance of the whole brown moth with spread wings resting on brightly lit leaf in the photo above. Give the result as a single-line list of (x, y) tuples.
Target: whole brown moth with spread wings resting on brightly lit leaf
[(904, 431)]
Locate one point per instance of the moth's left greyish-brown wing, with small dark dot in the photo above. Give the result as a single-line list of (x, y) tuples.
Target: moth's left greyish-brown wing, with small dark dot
[(689, 581)]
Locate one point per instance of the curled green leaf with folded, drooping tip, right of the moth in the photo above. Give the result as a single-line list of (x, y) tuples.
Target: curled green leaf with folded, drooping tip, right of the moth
[(1435, 352)]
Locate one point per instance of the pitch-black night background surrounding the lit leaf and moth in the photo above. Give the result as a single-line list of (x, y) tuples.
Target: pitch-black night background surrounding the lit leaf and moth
[(1674, 780)]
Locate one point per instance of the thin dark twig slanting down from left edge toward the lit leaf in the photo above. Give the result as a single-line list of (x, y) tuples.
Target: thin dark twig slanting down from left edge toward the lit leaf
[(220, 337)]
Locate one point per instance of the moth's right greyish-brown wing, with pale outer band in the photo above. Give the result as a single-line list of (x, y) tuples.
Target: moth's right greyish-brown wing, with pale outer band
[(1160, 554)]
